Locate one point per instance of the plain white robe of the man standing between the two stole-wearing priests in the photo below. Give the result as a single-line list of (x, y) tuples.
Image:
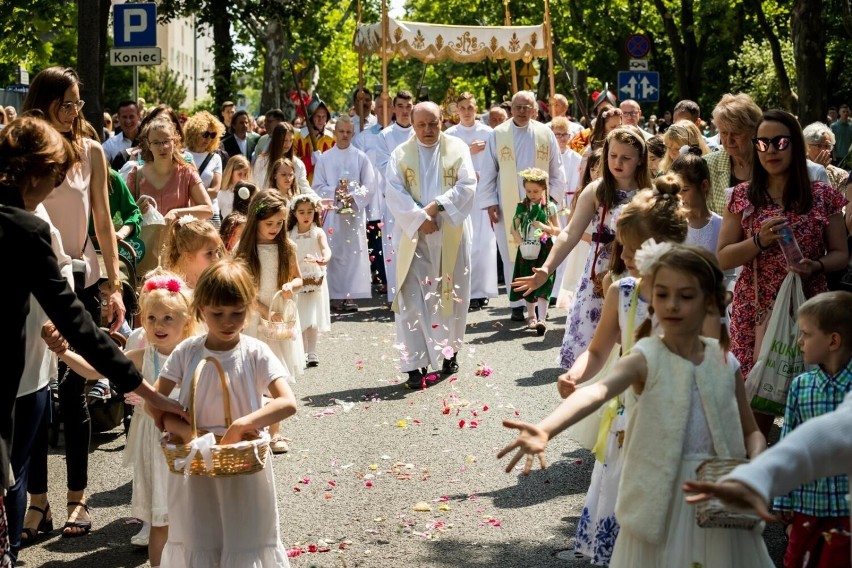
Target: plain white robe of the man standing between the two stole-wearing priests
[(483, 280)]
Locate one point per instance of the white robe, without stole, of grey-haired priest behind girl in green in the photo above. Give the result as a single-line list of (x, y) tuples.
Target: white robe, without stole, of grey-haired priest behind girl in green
[(489, 185)]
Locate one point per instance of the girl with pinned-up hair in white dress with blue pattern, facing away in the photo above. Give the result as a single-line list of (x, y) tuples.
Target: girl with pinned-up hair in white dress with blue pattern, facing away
[(653, 214)]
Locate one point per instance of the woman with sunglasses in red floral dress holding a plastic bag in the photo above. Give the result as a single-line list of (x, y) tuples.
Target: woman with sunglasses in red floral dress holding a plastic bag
[(779, 195)]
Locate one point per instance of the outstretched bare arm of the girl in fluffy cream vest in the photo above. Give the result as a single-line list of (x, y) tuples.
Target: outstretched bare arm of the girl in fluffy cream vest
[(532, 441)]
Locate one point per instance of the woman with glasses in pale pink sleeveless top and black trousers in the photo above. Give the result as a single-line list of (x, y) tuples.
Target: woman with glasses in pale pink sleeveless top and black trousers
[(55, 92)]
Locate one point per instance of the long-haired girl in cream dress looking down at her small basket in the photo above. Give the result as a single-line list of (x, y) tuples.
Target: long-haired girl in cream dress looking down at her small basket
[(271, 260)]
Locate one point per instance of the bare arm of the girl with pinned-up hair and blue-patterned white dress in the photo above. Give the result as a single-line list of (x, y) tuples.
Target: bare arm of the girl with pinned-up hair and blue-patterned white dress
[(594, 358)]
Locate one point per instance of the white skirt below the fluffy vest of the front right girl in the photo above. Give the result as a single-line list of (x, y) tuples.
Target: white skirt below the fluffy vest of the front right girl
[(686, 544)]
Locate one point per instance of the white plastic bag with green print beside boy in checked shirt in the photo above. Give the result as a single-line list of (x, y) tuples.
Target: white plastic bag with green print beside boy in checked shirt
[(780, 360)]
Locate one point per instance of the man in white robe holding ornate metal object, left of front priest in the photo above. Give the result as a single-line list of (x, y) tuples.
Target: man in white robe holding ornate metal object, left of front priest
[(348, 272)]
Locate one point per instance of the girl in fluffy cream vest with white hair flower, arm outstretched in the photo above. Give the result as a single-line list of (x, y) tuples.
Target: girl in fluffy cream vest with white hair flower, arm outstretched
[(691, 407)]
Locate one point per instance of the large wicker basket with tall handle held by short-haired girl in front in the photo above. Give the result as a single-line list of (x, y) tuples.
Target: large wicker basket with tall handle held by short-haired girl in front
[(245, 457)]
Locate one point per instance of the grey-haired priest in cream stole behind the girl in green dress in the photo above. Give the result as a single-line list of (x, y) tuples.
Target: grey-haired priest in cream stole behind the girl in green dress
[(515, 145)]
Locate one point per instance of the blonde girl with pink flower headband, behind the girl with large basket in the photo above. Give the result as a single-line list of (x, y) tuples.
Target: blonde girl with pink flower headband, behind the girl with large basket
[(164, 308)]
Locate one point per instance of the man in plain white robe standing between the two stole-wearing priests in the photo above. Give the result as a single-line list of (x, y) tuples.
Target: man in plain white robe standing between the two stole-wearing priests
[(483, 269)]
